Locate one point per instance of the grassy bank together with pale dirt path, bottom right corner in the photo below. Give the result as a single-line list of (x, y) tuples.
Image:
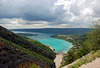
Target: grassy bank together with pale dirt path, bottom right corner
[(86, 61)]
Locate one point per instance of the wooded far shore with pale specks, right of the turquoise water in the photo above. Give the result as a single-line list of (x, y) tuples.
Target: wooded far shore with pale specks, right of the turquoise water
[(75, 39)]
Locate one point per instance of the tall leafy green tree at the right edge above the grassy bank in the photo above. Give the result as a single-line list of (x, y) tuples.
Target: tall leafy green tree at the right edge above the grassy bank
[(94, 36)]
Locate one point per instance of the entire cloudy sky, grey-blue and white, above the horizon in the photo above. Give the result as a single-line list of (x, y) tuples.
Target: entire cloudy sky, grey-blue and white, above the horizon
[(15, 14)]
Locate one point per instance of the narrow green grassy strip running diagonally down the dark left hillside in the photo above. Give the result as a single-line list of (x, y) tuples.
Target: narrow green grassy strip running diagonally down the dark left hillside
[(26, 50)]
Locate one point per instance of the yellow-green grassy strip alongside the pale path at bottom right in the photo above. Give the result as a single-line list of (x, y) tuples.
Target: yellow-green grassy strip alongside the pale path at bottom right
[(86, 59)]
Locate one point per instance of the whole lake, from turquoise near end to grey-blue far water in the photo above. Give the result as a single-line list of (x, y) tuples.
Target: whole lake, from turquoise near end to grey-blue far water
[(57, 44)]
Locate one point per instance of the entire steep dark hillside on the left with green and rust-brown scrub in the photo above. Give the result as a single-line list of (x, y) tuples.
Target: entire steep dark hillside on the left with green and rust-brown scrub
[(18, 52)]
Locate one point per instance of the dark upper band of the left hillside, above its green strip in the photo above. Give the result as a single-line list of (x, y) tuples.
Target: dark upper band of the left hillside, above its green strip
[(10, 36)]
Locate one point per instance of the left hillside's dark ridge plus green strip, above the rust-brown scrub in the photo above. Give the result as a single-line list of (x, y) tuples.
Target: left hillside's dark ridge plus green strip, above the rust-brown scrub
[(17, 43)]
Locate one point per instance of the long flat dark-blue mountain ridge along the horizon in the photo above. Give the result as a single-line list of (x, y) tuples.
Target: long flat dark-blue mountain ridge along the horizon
[(57, 30)]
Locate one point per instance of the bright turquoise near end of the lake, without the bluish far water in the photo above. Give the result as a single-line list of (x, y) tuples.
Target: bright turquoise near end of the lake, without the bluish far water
[(57, 44)]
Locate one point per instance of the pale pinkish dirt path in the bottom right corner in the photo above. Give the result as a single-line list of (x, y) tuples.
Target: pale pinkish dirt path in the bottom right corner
[(93, 64)]
